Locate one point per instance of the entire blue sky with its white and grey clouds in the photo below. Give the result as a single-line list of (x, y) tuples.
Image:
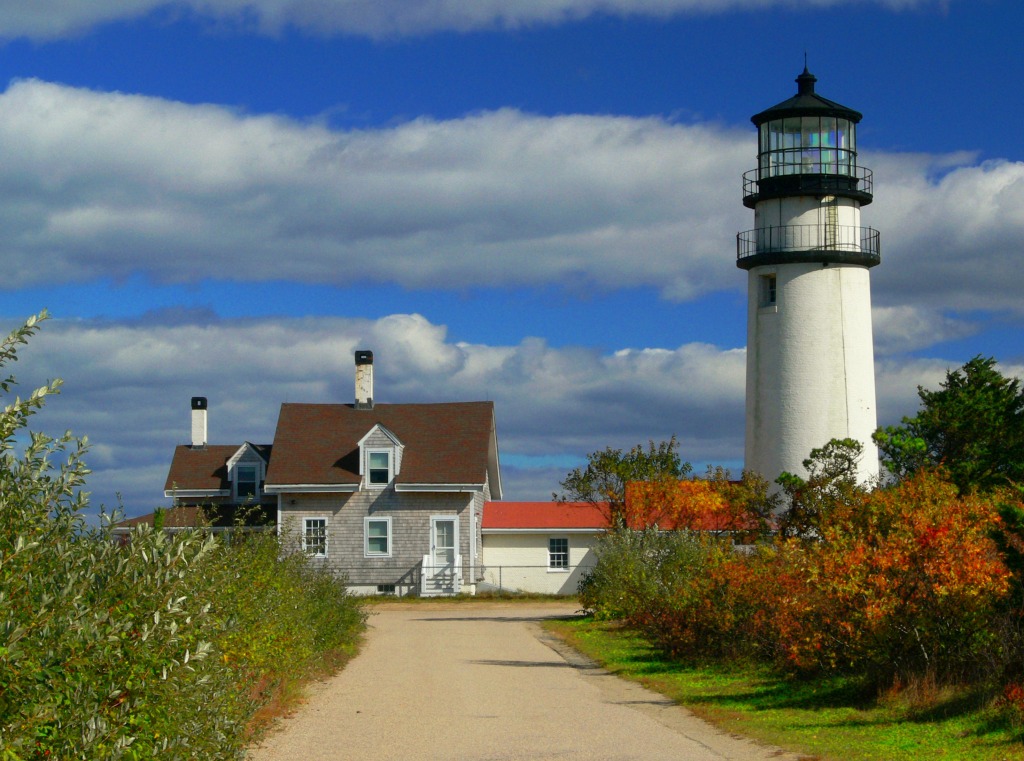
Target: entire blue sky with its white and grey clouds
[(529, 202)]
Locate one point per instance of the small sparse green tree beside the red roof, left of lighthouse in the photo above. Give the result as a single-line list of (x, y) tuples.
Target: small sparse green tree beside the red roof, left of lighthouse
[(604, 480)]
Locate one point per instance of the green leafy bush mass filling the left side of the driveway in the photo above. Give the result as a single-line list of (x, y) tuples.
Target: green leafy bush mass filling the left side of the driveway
[(155, 648)]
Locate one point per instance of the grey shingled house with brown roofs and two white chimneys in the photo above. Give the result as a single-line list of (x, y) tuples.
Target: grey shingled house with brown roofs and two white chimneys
[(390, 496)]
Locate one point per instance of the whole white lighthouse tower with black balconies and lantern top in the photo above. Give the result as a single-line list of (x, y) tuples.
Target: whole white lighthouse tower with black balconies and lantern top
[(810, 361)]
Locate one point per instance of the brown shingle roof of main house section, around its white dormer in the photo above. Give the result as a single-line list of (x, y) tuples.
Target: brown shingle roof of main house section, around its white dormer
[(445, 444)]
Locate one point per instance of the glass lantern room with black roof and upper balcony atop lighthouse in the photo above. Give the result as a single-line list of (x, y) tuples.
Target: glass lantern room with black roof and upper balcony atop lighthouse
[(807, 147)]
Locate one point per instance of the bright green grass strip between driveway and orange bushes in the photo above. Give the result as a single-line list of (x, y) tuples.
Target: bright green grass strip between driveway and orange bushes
[(835, 720)]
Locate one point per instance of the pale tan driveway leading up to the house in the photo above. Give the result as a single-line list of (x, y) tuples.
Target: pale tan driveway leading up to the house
[(484, 683)]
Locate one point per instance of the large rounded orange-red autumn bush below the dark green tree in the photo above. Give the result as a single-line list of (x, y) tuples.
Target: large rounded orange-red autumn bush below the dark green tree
[(909, 582)]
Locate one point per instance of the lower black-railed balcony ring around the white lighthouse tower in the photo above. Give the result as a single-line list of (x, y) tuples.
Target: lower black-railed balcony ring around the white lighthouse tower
[(808, 243)]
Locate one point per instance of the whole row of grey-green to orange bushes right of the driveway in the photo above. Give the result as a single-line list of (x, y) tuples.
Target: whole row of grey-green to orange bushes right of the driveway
[(900, 583)]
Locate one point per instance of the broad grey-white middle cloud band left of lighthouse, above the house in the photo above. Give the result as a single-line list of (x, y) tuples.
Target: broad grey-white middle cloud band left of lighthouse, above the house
[(108, 185)]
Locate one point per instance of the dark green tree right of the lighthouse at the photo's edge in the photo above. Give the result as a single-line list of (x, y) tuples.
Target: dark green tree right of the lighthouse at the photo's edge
[(973, 427)]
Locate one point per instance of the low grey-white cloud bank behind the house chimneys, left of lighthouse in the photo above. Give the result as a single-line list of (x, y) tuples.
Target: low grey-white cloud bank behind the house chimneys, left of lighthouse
[(127, 387)]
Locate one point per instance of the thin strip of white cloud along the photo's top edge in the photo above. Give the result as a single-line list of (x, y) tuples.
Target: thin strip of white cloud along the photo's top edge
[(51, 19)]
